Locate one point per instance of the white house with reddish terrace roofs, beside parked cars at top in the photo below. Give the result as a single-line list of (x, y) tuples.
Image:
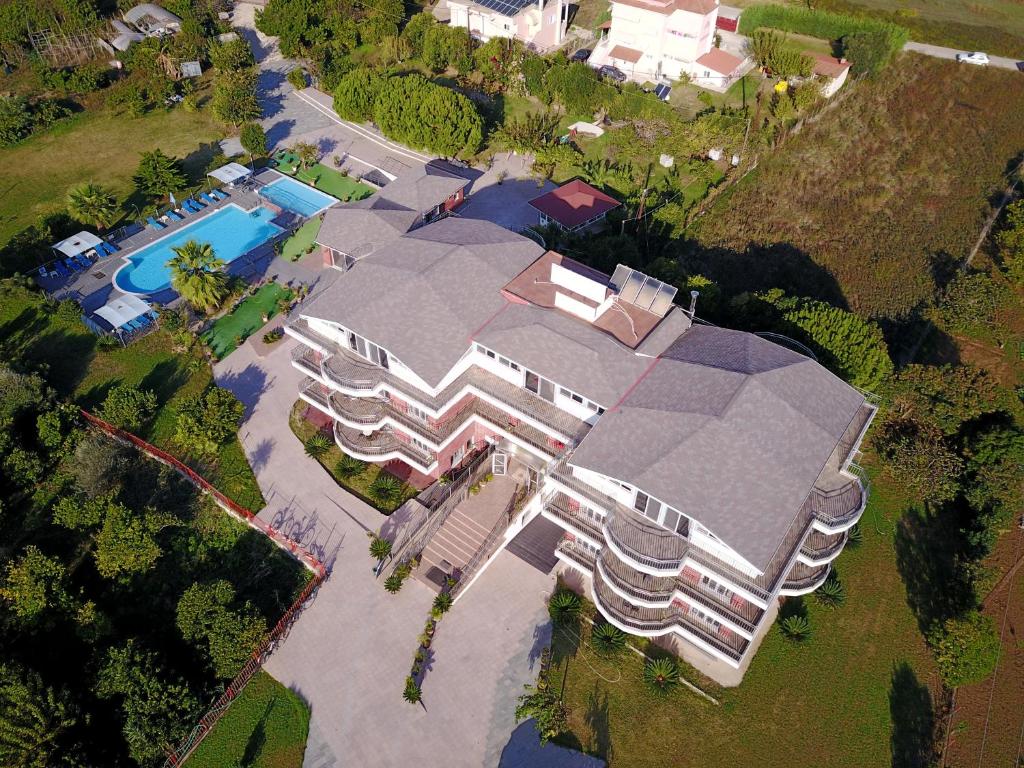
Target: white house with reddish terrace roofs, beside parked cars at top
[(656, 40)]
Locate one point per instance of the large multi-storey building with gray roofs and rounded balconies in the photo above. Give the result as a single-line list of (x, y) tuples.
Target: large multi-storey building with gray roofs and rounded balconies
[(698, 474)]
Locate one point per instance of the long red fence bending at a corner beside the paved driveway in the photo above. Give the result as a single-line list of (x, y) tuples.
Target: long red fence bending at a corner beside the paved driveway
[(179, 755)]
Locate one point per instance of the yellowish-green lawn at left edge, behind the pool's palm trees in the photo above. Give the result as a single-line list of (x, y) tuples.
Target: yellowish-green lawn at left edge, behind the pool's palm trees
[(97, 147)]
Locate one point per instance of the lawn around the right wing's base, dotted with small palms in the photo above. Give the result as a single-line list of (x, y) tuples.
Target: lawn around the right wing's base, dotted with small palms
[(844, 698)]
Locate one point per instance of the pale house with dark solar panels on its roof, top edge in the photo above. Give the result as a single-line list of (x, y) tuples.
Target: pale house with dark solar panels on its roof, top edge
[(540, 25)]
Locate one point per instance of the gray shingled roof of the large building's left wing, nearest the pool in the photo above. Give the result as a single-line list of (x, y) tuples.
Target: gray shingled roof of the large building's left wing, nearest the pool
[(423, 296)]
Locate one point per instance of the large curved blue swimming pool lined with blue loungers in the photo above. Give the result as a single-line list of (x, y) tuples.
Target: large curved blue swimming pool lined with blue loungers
[(231, 231)]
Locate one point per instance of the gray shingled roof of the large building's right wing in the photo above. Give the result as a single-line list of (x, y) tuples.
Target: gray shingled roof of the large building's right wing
[(731, 430)]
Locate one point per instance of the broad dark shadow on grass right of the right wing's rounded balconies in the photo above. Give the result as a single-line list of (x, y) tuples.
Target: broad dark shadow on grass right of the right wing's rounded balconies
[(930, 558)]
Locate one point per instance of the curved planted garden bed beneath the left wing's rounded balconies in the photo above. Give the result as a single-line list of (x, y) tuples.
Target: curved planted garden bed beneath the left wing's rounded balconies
[(372, 484)]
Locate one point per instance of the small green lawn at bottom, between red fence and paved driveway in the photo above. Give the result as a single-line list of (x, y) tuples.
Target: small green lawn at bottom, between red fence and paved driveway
[(266, 728)]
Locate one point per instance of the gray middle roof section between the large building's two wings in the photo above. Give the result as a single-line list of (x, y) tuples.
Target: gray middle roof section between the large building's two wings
[(567, 351)]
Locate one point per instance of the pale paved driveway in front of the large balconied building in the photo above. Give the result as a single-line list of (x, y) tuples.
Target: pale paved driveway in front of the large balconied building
[(351, 652)]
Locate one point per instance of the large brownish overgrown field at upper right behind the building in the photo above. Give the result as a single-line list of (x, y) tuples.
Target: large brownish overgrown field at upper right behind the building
[(883, 192)]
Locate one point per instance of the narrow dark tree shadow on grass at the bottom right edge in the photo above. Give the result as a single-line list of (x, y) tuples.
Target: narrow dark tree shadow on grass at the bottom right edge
[(914, 720)]
